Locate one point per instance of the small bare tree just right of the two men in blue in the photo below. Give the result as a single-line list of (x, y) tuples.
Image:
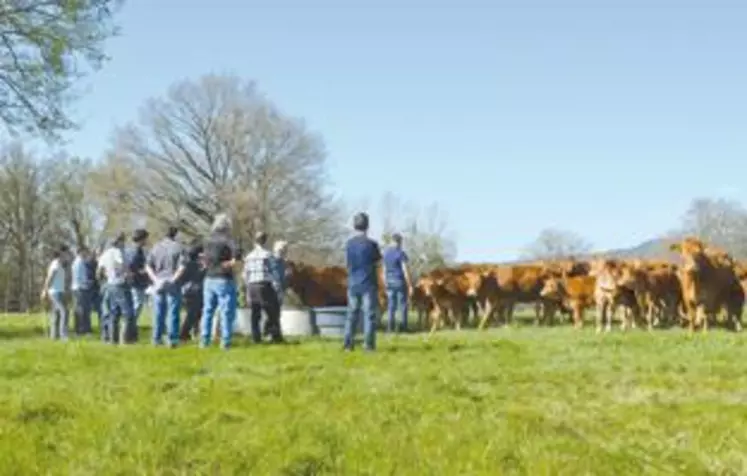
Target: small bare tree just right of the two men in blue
[(427, 238)]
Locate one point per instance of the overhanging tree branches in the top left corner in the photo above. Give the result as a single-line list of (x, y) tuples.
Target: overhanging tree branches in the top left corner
[(45, 46)]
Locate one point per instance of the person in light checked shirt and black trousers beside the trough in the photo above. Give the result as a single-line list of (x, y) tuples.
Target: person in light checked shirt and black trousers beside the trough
[(262, 295)]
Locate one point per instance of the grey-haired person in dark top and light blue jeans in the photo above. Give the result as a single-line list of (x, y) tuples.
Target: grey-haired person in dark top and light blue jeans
[(219, 287)]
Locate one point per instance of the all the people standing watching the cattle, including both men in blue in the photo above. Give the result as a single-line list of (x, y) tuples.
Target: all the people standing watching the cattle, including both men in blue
[(201, 278)]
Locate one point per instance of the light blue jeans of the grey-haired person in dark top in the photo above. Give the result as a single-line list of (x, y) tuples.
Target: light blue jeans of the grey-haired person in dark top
[(218, 292)]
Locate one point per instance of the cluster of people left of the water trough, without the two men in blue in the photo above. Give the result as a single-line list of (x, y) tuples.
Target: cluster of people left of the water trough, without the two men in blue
[(199, 277)]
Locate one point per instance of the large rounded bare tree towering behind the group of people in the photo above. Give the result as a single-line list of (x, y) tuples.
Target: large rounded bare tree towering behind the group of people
[(218, 145)]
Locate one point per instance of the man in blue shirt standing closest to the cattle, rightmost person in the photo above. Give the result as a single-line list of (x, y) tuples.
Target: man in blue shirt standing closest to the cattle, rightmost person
[(397, 279)]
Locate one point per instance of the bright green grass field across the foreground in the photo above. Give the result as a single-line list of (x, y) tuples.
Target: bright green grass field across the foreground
[(527, 400)]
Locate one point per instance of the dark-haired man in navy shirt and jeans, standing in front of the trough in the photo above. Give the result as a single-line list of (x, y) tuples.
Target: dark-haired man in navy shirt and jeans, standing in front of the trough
[(362, 256)]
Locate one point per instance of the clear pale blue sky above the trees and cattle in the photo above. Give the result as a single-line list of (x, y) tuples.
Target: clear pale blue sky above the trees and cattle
[(590, 116)]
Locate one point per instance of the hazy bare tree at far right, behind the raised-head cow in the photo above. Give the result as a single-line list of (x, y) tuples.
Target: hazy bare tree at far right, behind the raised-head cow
[(719, 221)]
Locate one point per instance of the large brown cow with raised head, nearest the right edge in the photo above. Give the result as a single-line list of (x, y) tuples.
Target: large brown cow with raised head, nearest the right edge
[(709, 283)]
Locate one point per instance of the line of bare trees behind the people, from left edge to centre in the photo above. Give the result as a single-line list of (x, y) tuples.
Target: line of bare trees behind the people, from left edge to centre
[(209, 146)]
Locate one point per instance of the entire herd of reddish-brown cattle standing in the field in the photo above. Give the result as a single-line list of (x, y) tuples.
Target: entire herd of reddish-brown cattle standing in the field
[(707, 284)]
